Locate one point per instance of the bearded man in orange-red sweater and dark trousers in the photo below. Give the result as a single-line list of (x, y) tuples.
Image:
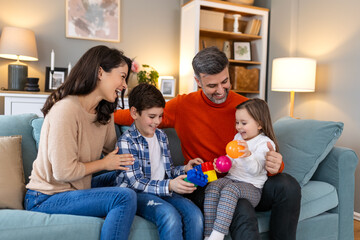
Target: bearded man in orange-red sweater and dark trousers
[(205, 123)]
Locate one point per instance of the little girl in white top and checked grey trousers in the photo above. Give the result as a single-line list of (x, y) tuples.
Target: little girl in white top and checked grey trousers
[(247, 175)]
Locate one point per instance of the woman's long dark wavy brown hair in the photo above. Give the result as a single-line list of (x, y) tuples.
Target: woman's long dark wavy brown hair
[(83, 79)]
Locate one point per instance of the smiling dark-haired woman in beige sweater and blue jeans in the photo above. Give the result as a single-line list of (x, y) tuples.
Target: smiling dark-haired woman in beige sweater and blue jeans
[(78, 127)]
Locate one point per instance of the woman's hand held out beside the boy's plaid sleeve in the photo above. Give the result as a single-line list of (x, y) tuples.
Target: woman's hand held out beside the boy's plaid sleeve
[(115, 161)]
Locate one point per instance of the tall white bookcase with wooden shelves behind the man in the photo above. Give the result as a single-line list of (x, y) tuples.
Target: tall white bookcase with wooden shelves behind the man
[(193, 38)]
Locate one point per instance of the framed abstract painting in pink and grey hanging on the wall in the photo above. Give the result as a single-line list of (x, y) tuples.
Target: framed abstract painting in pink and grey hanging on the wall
[(103, 25)]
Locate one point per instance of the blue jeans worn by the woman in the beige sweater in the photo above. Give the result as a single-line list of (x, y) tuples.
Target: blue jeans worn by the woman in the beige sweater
[(117, 204)]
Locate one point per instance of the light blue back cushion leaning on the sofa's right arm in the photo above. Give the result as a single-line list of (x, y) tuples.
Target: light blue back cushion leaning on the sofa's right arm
[(304, 144)]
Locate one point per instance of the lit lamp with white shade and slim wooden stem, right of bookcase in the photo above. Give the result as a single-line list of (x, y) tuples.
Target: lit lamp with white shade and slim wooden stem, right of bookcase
[(293, 74)]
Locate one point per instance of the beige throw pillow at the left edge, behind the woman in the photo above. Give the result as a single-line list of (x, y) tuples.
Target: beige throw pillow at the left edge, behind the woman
[(12, 182)]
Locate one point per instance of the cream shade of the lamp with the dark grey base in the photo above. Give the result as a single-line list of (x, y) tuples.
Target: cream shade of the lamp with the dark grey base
[(18, 43)]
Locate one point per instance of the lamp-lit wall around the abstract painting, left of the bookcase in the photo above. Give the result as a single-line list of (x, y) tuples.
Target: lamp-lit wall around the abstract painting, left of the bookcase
[(150, 32)]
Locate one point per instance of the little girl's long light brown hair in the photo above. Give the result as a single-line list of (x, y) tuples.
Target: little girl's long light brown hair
[(259, 111)]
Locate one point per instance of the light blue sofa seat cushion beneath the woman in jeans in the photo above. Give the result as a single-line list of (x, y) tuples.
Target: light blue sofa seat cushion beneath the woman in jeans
[(21, 224)]
